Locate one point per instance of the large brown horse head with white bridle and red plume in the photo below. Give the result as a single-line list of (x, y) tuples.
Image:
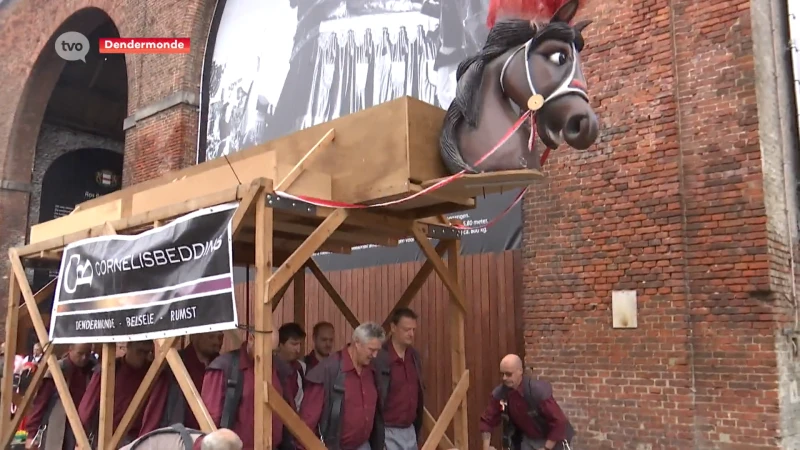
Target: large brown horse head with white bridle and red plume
[(529, 68)]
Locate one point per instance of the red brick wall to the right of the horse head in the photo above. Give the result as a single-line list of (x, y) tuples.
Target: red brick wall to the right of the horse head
[(670, 204)]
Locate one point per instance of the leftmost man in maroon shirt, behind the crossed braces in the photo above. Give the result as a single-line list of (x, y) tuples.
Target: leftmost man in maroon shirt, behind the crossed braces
[(47, 424)]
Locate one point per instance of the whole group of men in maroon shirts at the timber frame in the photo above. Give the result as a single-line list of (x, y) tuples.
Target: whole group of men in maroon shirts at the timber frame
[(367, 396)]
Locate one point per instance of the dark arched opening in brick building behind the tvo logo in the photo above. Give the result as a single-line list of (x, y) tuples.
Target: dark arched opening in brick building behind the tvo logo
[(67, 106)]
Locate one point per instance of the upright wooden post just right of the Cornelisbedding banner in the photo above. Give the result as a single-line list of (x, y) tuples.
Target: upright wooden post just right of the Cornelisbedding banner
[(262, 314)]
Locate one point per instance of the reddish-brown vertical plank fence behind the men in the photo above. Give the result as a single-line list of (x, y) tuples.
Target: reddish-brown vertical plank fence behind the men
[(492, 284)]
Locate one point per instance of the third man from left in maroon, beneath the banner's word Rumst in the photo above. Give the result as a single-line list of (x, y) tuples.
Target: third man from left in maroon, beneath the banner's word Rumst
[(167, 405)]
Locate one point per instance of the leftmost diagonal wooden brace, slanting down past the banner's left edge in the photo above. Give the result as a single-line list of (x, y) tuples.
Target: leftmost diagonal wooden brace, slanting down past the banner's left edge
[(52, 362)]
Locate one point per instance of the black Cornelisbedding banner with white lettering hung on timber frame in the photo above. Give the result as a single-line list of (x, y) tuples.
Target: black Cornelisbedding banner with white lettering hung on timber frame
[(169, 281)]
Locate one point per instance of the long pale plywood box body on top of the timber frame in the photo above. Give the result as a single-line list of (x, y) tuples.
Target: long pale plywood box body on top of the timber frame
[(384, 153)]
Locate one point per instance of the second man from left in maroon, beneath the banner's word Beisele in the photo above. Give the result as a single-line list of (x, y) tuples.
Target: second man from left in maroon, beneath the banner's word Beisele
[(130, 371)]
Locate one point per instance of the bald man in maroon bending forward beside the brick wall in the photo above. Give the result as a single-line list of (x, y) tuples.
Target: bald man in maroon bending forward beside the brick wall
[(532, 420)]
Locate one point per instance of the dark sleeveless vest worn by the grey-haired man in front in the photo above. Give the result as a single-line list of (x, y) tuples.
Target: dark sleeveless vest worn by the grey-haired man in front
[(325, 373)]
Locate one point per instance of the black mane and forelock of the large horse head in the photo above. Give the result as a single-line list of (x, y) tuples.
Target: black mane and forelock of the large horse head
[(504, 36)]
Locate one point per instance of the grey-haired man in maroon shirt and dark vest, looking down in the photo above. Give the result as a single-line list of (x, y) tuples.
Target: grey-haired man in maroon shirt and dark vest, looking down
[(347, 380)]
